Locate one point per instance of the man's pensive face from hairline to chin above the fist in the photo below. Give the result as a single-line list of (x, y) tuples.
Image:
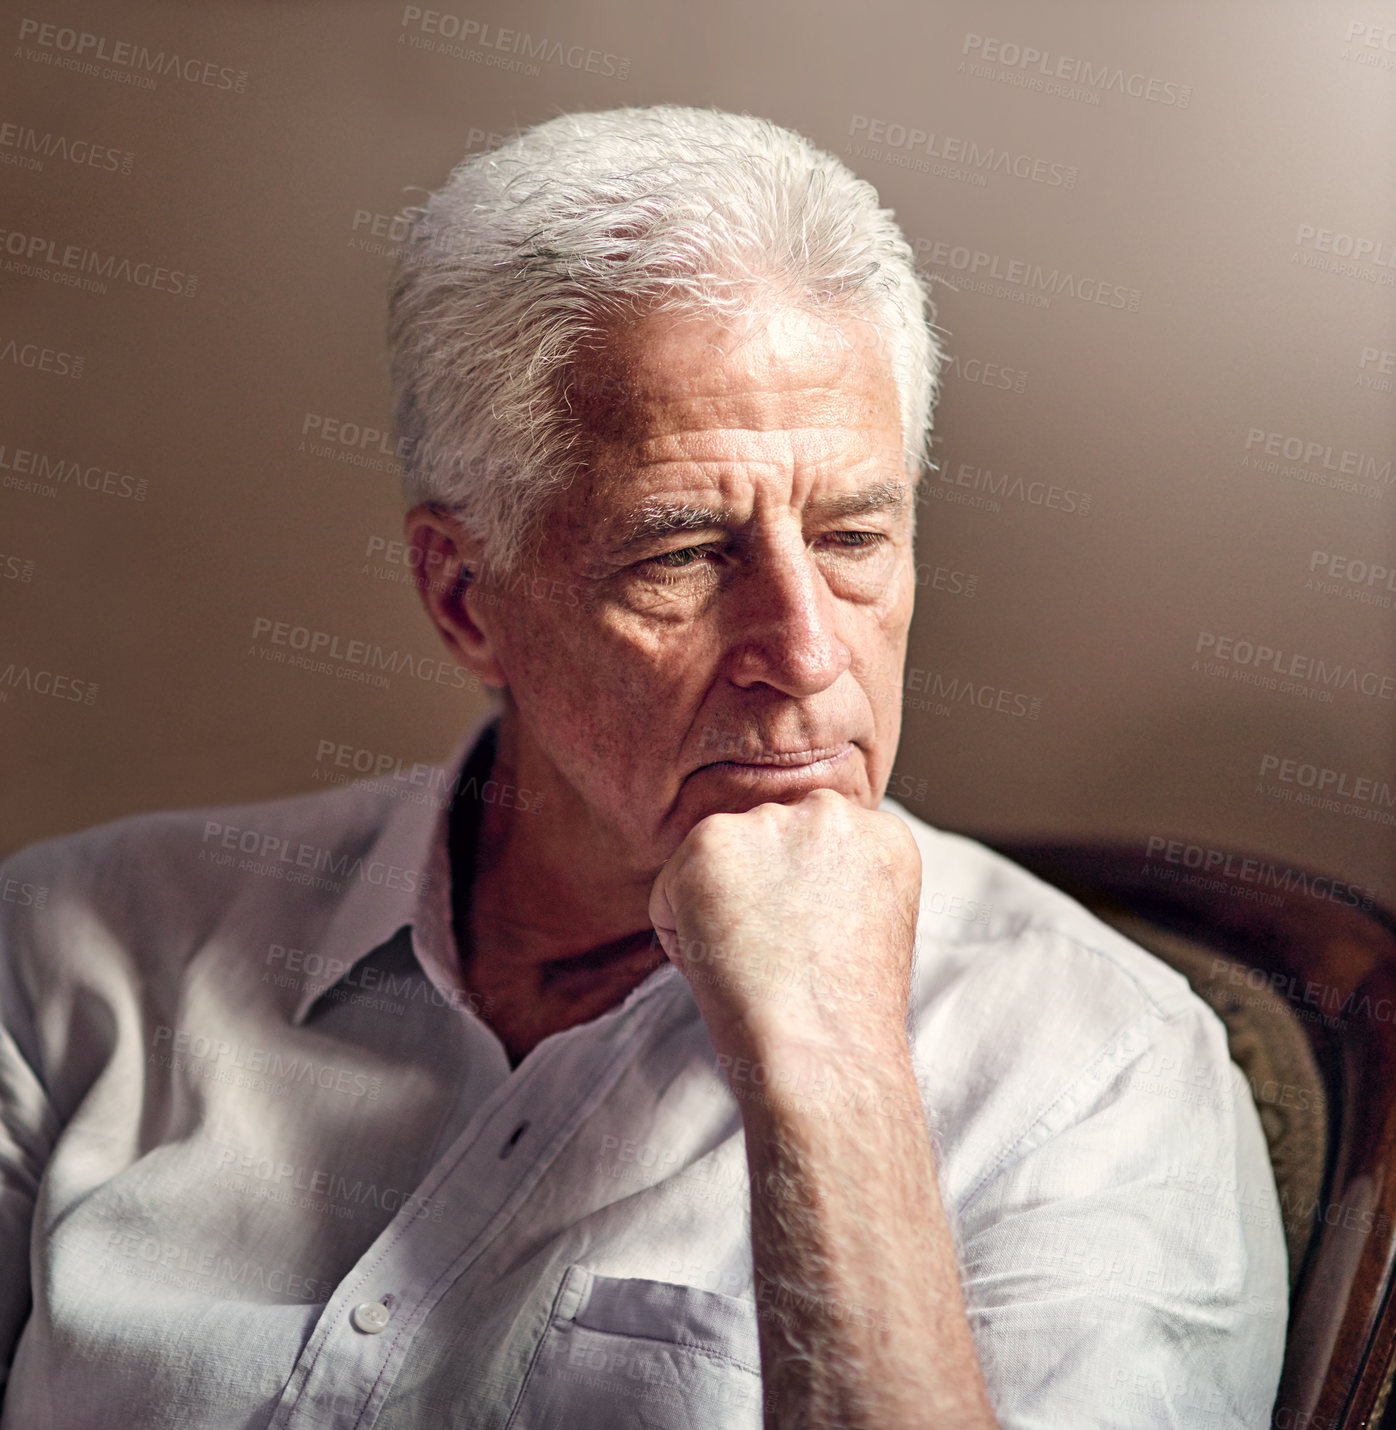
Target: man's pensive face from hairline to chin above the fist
[(723, 601)]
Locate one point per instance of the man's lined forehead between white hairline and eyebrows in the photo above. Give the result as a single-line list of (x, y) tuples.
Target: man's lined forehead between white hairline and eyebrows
[(677, 404)]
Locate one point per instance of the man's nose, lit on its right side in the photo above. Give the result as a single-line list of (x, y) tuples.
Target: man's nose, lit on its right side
[(783, 623)]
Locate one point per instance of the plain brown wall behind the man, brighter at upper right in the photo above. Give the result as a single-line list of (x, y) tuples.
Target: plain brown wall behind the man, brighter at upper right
[(1221, 172)]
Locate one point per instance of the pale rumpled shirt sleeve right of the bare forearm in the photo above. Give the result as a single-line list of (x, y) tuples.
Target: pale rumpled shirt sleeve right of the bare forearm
[(1128, 1265)]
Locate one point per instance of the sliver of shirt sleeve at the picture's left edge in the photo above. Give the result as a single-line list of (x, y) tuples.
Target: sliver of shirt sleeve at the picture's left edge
[(28, 1123)]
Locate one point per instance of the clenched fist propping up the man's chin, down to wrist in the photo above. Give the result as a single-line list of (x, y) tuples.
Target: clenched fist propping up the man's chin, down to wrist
[(795, 922)]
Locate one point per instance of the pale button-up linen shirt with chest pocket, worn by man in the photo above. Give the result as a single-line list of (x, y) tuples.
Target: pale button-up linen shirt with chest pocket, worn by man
[(264, 1165)]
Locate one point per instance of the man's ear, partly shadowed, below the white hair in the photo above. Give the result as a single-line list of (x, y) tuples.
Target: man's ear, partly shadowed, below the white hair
[(448, 560)]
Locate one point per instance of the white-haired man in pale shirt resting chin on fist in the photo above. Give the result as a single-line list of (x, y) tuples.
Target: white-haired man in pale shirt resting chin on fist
[(667, 1075)]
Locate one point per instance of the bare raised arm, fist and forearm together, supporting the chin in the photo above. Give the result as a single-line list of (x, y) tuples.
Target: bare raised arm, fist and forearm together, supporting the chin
[(862, 1318)]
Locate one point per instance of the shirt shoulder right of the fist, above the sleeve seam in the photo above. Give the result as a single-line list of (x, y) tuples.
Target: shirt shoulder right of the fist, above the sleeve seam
[(1029, 1013)]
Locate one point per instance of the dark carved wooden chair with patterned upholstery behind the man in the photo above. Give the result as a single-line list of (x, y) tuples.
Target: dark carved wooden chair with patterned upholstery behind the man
[(1307, 986)]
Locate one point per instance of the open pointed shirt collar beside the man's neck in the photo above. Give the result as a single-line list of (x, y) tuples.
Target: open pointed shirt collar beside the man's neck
[(403, 880)]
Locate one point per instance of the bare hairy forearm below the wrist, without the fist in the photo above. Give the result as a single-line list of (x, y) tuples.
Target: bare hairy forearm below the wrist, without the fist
[(862, 1318)]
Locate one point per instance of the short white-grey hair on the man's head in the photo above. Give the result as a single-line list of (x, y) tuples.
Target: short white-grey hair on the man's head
[(517, 265)]
